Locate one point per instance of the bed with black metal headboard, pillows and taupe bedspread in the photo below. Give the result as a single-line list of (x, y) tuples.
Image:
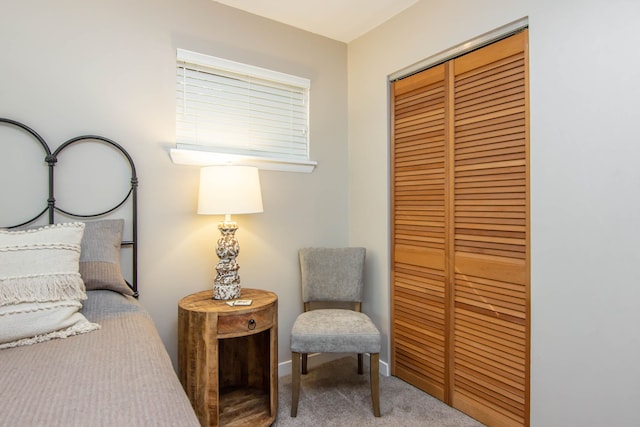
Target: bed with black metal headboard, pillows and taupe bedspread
[(95, 358)]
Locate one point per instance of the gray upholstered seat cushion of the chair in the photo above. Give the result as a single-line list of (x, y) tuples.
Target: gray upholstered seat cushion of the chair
[(334, 331)]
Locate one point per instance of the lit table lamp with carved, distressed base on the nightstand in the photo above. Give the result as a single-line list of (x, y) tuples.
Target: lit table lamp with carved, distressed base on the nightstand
[(228, 190)]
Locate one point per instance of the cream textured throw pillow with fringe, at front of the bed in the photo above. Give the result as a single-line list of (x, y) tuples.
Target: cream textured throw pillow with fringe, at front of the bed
[(40, 285)]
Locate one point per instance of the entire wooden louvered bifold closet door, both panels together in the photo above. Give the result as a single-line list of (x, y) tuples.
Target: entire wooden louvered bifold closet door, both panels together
[(460, 232)]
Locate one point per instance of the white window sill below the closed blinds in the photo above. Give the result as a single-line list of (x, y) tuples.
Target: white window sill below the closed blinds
[(182, 156)]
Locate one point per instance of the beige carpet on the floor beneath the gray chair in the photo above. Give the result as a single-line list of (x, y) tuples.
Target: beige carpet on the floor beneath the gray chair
[(334, 394)]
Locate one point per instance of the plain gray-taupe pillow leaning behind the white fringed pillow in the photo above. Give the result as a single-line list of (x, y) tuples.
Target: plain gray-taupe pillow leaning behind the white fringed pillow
[(100, 256)]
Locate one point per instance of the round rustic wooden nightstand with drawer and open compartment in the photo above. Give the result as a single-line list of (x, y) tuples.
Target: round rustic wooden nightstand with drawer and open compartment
[(228, 358)]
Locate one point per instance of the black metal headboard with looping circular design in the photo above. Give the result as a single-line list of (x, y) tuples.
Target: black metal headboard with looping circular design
[(51, 159)]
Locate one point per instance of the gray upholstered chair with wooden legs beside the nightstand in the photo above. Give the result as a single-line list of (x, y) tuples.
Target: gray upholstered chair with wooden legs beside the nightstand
[(333, 275)]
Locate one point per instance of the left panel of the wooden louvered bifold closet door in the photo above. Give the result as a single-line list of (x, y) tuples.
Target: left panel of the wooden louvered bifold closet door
[(419, 230)]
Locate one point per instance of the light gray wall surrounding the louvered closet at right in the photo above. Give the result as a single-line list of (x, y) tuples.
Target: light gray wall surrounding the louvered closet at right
[(585, 206)]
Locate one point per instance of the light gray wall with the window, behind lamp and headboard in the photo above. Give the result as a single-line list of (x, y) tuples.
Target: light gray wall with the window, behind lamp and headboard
[(73, 67)]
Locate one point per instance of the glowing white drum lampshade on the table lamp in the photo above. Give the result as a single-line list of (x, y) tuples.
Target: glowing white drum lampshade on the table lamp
[(229, 190)]
